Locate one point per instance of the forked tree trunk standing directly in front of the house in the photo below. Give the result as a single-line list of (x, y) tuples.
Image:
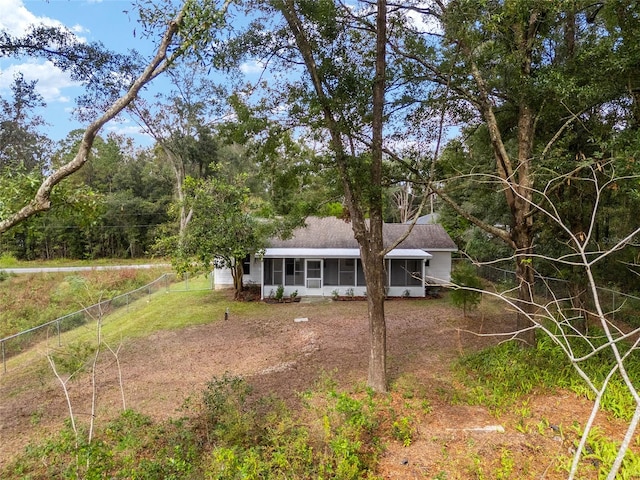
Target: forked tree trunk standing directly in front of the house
[(360, 201)]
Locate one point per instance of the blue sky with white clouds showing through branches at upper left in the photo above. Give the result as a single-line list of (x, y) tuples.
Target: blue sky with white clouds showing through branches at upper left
[(92, 21)]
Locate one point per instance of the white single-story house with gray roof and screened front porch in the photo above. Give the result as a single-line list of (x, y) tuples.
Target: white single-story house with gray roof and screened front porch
[(323, 259)]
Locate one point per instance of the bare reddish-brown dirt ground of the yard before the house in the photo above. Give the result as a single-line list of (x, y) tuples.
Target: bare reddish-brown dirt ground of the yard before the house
[(281, 356)]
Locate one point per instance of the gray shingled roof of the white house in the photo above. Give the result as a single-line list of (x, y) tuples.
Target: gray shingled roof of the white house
[(331, 232)]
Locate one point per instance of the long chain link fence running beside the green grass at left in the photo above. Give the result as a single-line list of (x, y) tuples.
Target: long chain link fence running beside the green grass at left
[(168, 282)]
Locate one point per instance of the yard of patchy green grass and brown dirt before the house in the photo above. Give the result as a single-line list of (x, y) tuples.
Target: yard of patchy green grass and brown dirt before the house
[(258, 426)]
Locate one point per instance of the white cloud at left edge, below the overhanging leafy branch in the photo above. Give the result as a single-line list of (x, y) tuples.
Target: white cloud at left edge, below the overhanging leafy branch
[(51, 80)]
